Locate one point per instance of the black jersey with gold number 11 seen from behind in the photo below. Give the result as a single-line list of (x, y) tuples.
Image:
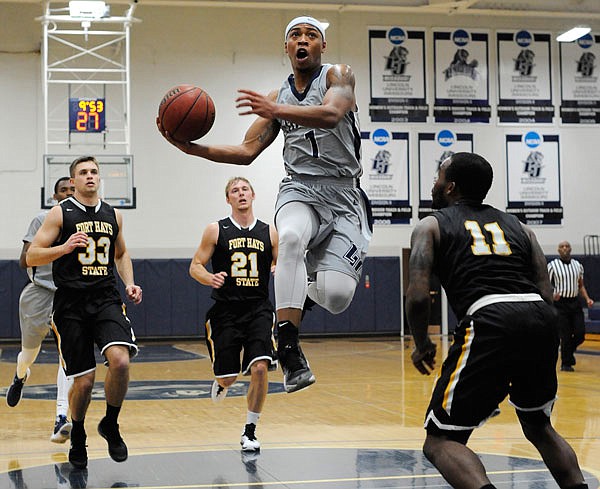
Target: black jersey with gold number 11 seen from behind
[(482, 251)]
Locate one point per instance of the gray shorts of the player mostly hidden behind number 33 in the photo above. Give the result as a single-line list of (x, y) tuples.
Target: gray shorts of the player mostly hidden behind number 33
[(35, 309)]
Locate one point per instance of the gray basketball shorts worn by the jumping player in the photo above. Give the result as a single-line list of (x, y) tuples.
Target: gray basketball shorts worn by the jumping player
[(344, 234)]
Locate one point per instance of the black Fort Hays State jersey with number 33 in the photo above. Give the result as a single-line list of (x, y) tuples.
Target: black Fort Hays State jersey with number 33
[(92, 266)]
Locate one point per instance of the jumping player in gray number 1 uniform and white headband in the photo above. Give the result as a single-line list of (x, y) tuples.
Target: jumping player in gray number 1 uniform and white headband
[(322, 215)]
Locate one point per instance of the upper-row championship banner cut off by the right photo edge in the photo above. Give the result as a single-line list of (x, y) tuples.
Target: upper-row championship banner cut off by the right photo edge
[(579, 81)]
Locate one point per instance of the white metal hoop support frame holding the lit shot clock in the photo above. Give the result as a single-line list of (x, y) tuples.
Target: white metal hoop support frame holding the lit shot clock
[(86, 93)]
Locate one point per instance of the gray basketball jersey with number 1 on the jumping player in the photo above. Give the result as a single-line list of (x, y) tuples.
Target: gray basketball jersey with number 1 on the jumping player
[(320, 152)]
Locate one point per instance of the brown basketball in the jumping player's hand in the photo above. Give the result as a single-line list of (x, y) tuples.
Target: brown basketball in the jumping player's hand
[(186, 112)]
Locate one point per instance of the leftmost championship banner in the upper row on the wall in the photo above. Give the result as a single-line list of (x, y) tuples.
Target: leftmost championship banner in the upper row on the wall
[(397, 72)]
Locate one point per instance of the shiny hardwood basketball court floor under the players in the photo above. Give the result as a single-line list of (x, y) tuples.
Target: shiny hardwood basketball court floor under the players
[(368, 399)]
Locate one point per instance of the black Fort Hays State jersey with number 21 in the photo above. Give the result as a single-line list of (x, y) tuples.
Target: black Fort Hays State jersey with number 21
[(246, 255)]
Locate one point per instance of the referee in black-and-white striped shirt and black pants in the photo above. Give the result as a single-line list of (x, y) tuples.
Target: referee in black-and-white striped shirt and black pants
[(566, 276)]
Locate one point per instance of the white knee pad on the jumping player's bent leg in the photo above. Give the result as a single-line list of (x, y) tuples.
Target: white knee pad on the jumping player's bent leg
[(333, 290)]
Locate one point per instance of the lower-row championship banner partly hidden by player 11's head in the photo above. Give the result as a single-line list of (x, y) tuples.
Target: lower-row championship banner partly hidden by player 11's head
[(434, 148)]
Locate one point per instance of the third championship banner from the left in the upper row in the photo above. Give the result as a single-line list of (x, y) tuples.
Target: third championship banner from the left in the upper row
[(524, 78)]
